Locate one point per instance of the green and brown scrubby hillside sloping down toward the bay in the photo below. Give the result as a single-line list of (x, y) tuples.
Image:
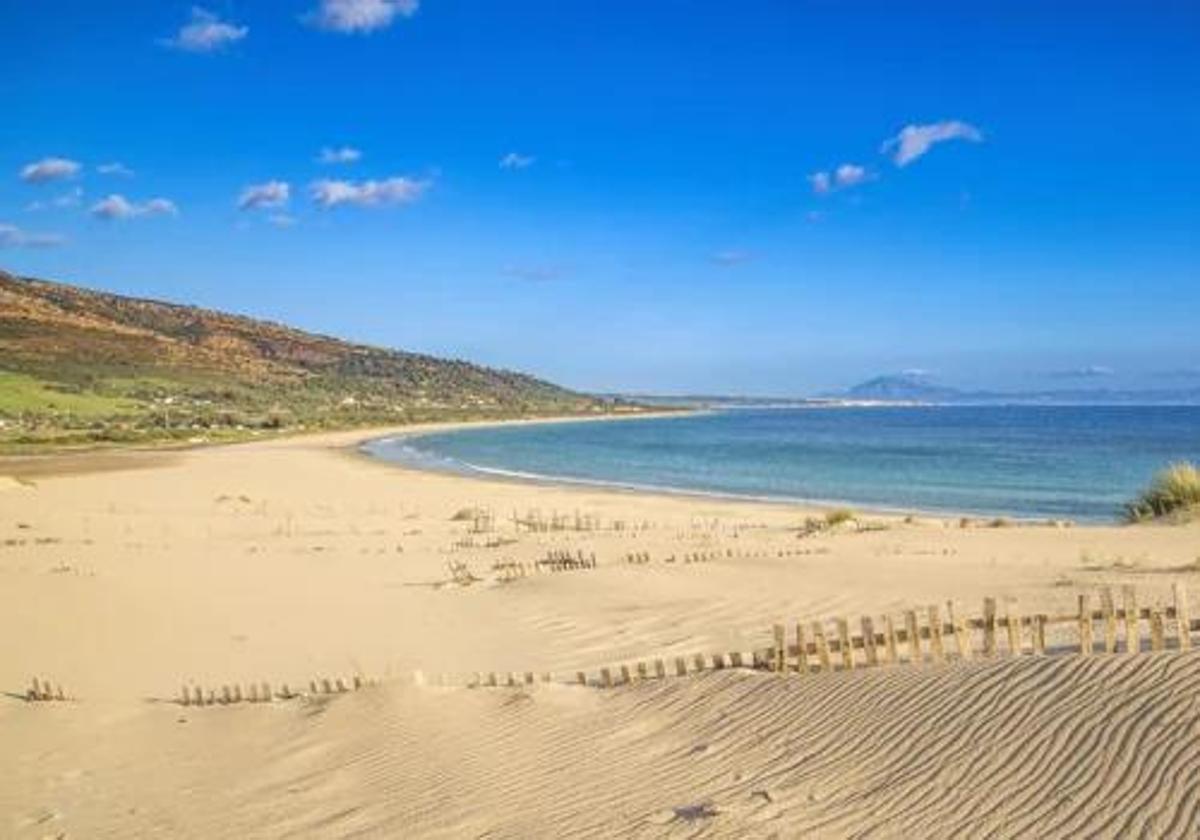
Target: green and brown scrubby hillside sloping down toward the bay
[(106, 367)]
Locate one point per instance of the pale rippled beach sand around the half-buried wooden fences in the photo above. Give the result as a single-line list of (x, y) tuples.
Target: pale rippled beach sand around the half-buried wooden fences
[(296, 560)]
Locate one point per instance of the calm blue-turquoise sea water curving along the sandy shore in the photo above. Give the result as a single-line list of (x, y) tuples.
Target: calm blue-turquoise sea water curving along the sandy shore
[(1076, 463)]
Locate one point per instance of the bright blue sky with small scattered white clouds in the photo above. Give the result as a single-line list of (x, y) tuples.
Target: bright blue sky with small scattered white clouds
[(771, 199)]
